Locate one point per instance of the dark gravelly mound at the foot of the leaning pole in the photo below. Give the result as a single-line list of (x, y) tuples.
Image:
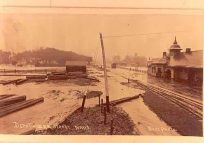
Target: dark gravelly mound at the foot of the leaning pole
[(91, 122)]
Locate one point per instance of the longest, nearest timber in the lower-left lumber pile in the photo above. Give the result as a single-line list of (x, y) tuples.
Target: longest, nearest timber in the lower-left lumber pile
[(21, 105)]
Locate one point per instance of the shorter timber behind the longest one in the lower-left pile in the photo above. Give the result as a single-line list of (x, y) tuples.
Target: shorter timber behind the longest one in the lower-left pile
[(13, 100)]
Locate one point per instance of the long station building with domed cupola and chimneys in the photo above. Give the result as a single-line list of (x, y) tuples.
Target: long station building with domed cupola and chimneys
[(181, 66)]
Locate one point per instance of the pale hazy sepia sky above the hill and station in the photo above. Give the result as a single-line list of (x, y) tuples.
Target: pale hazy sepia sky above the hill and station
[(125, 33)]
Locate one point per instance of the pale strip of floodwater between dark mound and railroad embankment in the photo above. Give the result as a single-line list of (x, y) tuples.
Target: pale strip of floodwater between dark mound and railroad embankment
[(146, 121)]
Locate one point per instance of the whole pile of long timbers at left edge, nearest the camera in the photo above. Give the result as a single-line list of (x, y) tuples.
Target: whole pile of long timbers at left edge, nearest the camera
[(10, 103)]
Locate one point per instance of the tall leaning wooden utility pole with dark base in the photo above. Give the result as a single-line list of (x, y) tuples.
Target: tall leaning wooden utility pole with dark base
[(105, 74)]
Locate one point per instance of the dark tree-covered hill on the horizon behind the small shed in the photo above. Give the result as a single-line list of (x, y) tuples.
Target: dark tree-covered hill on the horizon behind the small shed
[(43, 57)]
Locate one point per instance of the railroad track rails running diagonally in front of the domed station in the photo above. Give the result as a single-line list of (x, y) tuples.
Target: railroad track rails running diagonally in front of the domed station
[(190, 104)]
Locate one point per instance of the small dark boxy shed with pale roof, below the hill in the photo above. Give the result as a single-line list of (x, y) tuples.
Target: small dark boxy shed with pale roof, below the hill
[(76, 66)]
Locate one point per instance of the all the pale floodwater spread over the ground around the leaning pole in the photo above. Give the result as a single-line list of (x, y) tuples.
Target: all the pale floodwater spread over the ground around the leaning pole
[(61, 99)]
